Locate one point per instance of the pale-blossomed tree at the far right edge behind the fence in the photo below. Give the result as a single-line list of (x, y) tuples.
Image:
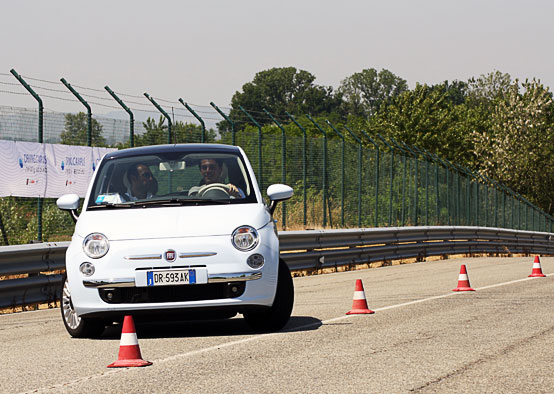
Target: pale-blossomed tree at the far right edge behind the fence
[(519, 149)]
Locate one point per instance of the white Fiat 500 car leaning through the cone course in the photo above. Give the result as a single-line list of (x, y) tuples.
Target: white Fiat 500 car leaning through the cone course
[(175, 231)]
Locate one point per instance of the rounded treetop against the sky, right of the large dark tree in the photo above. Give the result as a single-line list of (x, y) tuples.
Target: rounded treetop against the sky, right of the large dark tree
[(364, 92)]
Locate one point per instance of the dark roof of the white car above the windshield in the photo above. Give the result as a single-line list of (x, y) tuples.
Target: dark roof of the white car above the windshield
[(156, 149)]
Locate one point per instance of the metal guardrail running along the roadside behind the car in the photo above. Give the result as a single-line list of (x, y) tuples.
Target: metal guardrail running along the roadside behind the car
[(312, 249)]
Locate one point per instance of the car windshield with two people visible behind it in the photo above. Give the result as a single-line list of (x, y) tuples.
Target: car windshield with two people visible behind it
[(172, 178)]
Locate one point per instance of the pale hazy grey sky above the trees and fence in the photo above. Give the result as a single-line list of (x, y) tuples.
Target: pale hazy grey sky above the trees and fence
[(206, 50)]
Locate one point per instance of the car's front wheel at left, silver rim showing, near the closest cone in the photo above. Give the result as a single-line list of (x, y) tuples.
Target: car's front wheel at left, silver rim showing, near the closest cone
[(77, 327)]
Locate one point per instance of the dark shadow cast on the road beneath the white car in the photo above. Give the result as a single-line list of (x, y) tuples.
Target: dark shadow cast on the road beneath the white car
[(206, 328)]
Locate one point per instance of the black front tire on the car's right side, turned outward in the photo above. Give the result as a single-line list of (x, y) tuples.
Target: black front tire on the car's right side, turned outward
[(275, 318)]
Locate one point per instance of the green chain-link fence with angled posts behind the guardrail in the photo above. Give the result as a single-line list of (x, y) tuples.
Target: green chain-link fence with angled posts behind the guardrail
[(346, 180)]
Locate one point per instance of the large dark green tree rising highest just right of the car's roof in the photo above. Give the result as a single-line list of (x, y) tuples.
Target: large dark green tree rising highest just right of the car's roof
[(279, 90)]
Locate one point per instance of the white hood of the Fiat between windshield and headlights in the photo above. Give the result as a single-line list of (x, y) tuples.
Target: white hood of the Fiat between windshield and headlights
[(168, 222)]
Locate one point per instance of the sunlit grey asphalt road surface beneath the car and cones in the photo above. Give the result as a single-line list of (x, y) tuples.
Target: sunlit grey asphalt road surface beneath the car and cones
[(423, 338)]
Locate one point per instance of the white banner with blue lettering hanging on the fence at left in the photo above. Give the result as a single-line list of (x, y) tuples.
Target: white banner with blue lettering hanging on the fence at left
[(30, 169)]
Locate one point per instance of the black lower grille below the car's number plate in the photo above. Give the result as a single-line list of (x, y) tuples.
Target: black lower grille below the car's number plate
[(137, 295)]
